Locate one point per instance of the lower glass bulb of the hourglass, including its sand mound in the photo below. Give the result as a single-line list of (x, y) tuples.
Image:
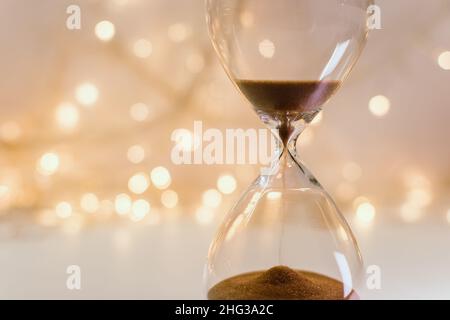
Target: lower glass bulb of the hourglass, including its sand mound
[(284, 239)]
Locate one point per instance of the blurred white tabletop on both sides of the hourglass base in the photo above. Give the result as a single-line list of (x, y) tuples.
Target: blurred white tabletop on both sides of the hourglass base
[(166, 261)]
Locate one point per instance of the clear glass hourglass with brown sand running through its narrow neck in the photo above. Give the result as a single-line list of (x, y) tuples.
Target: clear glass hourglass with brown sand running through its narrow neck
[(285, 238)]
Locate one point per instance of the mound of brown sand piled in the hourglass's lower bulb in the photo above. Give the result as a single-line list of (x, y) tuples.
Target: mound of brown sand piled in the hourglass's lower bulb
[(278, 283)]
